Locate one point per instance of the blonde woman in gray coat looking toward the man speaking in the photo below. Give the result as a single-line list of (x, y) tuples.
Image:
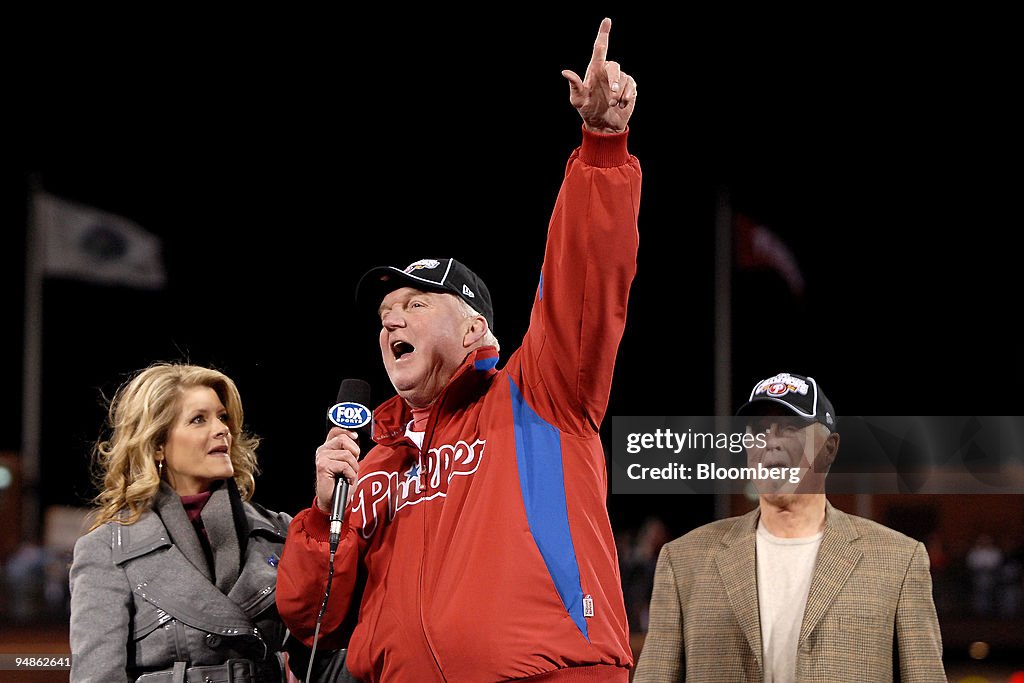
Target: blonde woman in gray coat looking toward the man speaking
[(177, 579)]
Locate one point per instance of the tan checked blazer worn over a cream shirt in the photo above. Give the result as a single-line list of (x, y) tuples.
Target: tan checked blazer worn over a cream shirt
[(870, 614)]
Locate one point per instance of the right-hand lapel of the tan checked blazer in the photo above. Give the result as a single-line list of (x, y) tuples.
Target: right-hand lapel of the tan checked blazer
[(837, 559)]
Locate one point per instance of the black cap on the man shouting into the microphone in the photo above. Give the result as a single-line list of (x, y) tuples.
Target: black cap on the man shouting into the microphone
[(433, 275)]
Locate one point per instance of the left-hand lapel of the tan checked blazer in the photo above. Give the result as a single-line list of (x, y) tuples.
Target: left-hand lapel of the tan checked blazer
[(739, 573)]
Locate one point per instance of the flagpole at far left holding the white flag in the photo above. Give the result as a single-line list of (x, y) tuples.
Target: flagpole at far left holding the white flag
[(32, 369)]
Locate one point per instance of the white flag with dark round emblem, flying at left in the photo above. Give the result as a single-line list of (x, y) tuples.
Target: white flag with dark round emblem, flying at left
[(84, 243)]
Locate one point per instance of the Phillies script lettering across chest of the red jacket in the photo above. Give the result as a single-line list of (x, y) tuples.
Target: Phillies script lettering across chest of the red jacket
[(381, 494)]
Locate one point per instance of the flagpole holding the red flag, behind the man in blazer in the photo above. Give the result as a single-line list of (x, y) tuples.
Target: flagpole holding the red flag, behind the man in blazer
[(723, 323)]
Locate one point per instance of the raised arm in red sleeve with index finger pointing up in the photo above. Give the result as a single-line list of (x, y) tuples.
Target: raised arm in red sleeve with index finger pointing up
[(565, 367)]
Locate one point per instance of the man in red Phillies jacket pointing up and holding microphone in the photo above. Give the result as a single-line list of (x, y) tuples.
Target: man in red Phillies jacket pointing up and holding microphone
[(478, 525)]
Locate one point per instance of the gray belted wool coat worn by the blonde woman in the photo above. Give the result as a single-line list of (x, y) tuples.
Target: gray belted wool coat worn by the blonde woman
[(143, 596)]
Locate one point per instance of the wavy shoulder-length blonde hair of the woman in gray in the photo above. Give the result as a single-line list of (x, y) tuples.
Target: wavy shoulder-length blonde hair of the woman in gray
[(139, 421)]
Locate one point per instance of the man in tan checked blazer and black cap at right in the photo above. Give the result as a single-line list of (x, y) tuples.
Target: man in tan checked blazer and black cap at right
[(795, 590)]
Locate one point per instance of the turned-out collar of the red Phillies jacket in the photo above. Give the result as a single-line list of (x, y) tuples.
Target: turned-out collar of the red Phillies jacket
[(470, 381)]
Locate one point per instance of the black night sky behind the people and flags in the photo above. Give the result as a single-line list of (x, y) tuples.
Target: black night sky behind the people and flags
[(280, 160)]
